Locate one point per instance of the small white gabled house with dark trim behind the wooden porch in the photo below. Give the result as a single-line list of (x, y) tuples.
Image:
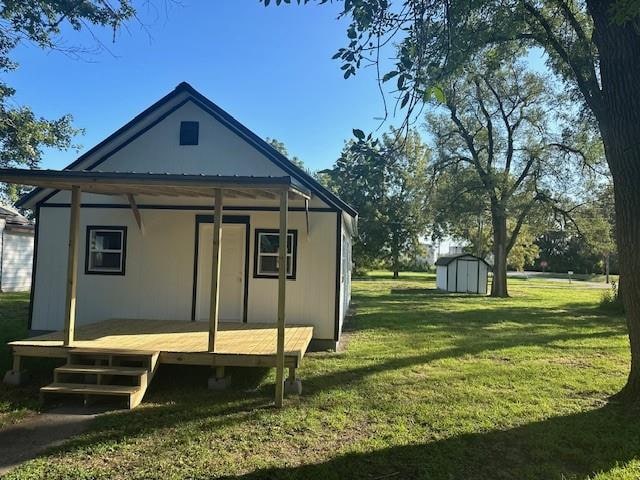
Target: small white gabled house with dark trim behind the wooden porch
[(150, 256)]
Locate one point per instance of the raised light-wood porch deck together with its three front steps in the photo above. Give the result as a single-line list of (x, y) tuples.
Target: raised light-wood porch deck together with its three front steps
[(119, 357)]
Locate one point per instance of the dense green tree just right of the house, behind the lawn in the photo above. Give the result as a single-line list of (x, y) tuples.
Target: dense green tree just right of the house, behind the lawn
[(386, 183)]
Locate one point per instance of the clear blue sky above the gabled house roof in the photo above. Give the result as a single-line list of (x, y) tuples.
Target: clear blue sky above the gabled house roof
[(270, 68)]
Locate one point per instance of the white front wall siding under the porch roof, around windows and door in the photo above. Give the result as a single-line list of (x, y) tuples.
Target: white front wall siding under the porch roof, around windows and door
[(159, 272)]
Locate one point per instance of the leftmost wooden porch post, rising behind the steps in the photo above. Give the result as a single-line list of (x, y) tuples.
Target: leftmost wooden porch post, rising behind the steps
[(72, 267)]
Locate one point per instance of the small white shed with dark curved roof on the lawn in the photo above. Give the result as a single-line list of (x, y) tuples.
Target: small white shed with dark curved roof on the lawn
[(463, 273)]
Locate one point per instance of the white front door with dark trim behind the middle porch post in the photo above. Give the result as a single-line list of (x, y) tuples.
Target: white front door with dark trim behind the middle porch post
[(231, 272)]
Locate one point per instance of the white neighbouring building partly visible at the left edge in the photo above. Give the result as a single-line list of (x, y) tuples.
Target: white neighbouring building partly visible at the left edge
[(16, 251)]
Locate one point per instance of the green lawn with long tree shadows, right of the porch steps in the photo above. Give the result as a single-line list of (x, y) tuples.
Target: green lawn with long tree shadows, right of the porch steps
[(431, 386)]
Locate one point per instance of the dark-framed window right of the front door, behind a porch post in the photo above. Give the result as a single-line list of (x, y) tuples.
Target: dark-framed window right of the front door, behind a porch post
[(267, 243)]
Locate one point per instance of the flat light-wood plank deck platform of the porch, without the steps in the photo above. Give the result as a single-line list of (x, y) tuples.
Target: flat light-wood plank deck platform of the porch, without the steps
[(176, 342)]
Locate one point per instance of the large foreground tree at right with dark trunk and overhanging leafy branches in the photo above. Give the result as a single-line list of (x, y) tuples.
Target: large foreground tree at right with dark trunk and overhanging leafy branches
[(593, 45)]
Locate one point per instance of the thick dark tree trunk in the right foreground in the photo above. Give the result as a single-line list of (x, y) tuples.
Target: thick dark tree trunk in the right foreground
[(619, 120)]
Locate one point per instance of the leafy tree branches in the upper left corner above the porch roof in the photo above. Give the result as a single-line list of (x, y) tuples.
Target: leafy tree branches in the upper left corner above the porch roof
[(23, 134)]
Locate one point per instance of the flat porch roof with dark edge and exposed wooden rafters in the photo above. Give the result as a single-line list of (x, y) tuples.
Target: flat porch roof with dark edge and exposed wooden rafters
[(156, 184)]
